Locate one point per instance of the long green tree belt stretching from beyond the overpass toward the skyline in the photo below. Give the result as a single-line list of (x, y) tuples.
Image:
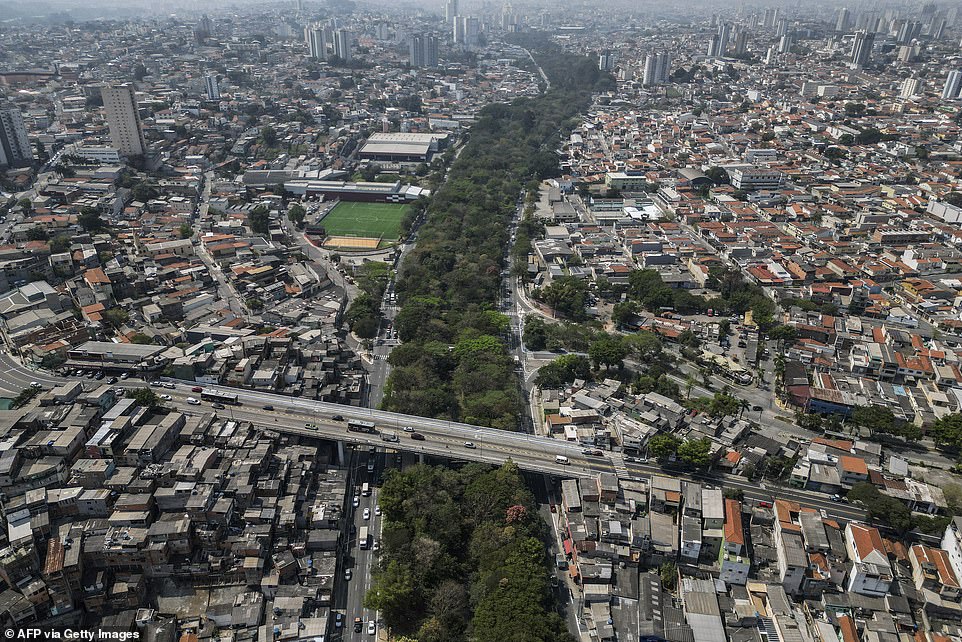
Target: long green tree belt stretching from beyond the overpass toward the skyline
[(454, 361)]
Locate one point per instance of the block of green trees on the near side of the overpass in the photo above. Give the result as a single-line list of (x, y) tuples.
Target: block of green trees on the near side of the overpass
[(431, 585)]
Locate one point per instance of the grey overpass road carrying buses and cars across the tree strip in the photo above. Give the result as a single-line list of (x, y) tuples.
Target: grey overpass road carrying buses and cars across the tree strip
[(442, 439)]
